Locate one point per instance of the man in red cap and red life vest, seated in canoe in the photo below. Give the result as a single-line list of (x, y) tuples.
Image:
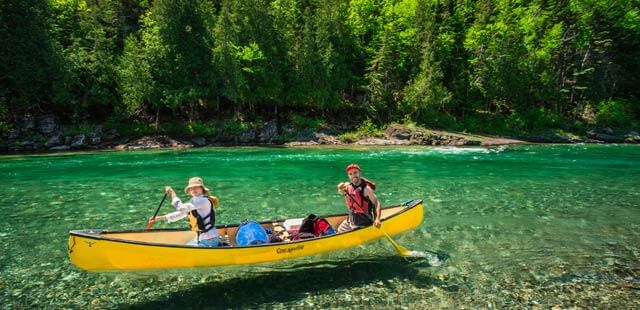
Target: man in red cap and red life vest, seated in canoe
[(363, 205)]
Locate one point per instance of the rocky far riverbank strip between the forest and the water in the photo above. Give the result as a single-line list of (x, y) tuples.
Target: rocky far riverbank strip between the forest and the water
[(46, 135)]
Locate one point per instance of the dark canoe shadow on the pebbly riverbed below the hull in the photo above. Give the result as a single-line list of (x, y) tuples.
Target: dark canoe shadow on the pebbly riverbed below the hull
[(275, 285)]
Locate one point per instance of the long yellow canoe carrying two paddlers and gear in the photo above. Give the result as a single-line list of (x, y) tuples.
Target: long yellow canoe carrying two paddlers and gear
[(166, 248)]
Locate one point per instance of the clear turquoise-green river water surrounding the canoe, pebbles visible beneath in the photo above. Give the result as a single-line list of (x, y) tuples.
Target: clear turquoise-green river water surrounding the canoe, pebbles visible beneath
[(522, 226)]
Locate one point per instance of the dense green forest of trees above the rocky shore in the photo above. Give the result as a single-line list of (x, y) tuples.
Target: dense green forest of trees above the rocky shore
[(484, 66)]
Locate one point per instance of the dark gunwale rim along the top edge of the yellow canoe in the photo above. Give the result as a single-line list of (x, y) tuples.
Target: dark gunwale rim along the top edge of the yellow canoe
[(98, 234)]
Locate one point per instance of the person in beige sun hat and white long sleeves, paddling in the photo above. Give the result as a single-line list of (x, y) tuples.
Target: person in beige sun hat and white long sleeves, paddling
[(200, 210)]
